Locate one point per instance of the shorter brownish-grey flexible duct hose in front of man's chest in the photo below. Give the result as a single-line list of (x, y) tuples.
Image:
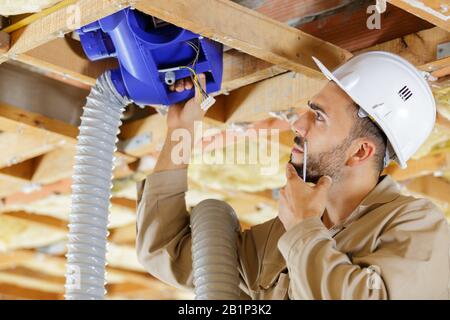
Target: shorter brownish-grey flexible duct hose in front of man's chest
[(214, 251)]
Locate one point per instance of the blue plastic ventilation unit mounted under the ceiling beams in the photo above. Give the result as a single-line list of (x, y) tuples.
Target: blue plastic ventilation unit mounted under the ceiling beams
[(150, 52)]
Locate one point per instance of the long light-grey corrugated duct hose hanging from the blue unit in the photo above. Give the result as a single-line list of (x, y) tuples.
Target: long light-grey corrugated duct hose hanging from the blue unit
[(91, 191)]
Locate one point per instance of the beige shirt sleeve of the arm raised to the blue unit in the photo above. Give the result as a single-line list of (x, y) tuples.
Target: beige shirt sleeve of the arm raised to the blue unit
[(163, 241)]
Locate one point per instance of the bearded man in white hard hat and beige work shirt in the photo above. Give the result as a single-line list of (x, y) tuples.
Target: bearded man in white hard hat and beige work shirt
[(352, 235)]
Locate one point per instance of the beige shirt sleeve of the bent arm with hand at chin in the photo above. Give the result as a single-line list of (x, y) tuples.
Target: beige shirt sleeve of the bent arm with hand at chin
[(410, 262)]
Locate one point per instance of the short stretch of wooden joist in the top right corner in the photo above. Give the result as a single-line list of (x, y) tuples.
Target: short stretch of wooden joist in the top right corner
[(435, 11)]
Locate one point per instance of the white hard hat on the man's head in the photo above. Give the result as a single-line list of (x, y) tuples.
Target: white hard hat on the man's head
[(394, 94)]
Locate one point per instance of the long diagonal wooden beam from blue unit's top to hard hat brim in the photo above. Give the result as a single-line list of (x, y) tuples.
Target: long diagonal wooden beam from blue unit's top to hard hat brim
[(248, 31)]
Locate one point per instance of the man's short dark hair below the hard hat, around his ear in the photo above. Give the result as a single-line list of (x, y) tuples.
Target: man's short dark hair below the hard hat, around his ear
[(366, 128)]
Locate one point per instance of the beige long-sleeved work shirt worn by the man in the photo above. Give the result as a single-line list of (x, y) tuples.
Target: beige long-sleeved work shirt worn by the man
[(391, 247)]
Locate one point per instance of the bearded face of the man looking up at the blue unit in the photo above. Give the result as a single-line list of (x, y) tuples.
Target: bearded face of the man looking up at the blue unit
[(326, 127)]
